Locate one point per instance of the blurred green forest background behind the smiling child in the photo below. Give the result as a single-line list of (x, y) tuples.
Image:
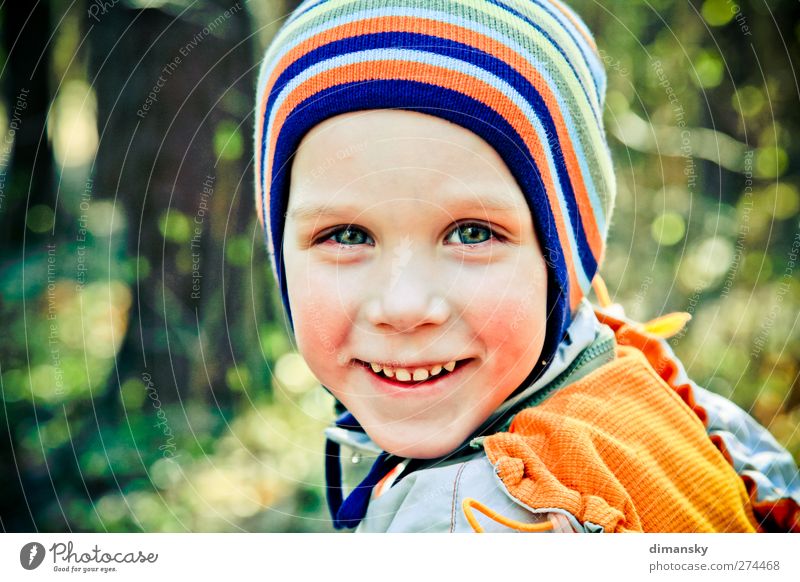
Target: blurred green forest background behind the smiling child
[(147, 378)]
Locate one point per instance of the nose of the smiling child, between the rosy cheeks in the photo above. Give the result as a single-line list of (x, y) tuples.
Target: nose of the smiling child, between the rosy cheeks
[(408, 300)]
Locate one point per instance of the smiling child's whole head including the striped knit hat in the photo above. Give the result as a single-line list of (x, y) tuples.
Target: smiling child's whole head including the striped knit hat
[(436, 185)]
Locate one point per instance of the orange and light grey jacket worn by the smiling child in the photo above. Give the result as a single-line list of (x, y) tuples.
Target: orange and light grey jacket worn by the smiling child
[(614, 437)]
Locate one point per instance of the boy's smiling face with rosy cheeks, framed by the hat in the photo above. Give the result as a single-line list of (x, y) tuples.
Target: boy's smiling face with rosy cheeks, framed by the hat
[(409, 246)]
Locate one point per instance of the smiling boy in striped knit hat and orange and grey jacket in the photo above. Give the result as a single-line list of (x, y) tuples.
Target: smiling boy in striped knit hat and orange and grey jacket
[(436, 188)]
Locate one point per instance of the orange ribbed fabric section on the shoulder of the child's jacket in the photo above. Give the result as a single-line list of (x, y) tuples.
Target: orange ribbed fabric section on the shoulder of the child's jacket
[(622, 449)]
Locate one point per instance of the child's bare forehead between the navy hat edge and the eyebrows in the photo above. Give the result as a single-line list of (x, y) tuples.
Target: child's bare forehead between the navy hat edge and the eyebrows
[(383, 155)]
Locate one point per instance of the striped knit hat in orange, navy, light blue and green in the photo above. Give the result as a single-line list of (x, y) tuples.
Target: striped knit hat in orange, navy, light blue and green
[(524, 75)]
